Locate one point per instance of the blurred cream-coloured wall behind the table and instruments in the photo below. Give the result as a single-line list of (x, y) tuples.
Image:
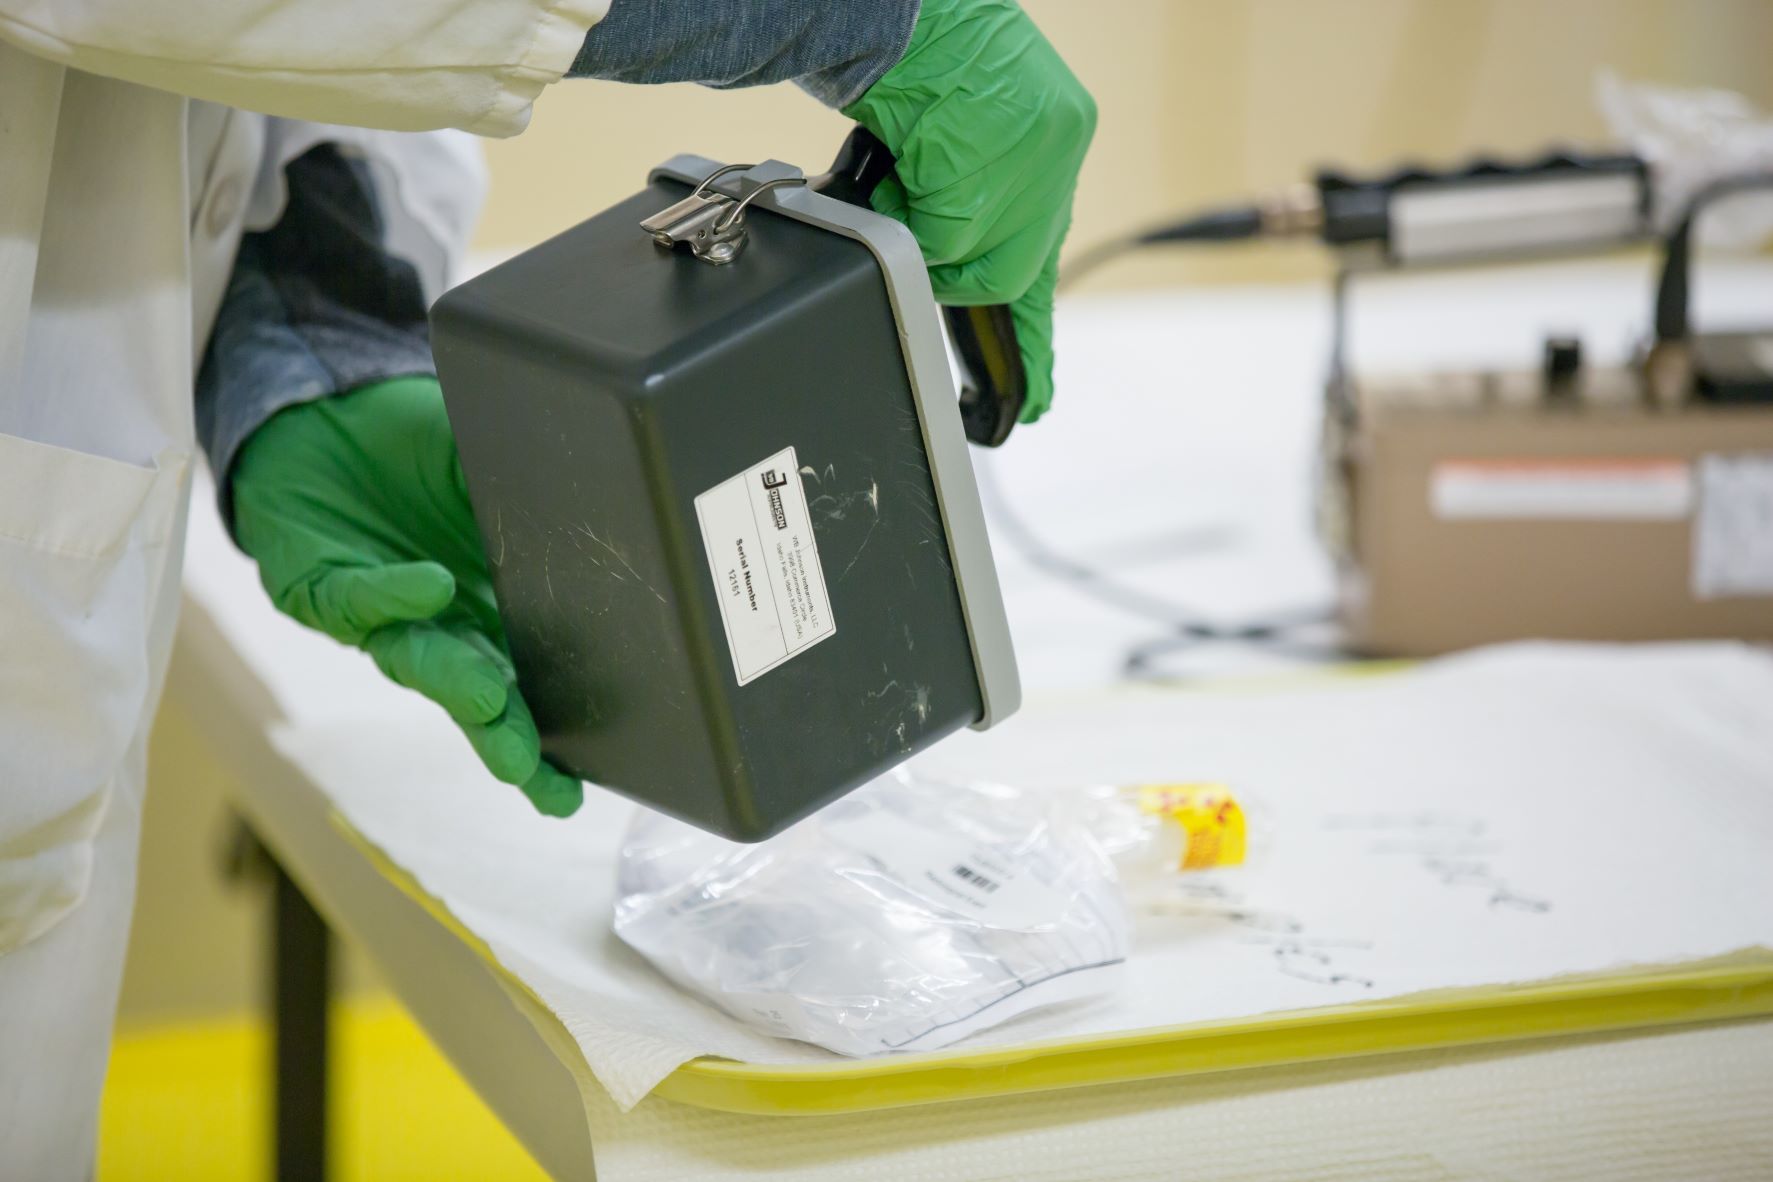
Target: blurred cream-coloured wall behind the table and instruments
[(1201, 100)]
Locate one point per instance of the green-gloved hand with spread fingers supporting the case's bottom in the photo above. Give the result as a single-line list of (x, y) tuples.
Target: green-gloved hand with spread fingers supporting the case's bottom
[(359, 517)]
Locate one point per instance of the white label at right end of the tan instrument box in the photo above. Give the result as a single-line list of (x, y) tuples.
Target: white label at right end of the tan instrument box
[(1733, 538)]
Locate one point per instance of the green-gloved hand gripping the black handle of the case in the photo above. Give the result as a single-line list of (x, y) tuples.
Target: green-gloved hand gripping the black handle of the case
[(990, 130)]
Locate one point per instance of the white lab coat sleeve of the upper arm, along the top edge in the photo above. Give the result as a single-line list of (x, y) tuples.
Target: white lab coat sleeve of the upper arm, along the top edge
[(416, 65)]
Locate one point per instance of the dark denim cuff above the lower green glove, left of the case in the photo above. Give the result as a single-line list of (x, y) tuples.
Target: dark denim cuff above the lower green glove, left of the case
[(315, 306)]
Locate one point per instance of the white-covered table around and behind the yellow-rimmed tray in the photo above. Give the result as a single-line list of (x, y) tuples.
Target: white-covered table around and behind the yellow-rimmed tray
[(1178, 458)]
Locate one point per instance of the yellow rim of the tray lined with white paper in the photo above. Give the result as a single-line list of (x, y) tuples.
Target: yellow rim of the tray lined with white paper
[(1731, 988)]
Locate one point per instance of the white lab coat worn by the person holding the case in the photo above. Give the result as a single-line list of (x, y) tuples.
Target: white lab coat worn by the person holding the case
[(121, 208)]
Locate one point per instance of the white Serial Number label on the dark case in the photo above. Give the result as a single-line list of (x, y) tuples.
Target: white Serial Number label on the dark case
[(765, 561)]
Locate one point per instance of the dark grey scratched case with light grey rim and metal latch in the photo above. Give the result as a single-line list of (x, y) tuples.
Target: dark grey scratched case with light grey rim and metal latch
[(598, 385)]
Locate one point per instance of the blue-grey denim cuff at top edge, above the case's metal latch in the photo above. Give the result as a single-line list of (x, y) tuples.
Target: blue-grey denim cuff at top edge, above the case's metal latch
[(831, 49)]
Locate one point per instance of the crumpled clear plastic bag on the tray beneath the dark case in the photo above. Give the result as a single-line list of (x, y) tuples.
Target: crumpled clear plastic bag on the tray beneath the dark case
[(902, 919)]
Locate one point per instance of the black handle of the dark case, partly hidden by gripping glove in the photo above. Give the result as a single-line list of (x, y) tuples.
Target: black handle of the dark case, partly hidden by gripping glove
[(994, 382)]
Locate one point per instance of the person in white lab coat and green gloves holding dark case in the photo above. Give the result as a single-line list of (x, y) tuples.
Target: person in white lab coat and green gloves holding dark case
[(221, 222)]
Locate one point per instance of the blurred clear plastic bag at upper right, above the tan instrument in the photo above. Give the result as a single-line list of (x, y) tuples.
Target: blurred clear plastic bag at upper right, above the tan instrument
[(1692, 139)]
